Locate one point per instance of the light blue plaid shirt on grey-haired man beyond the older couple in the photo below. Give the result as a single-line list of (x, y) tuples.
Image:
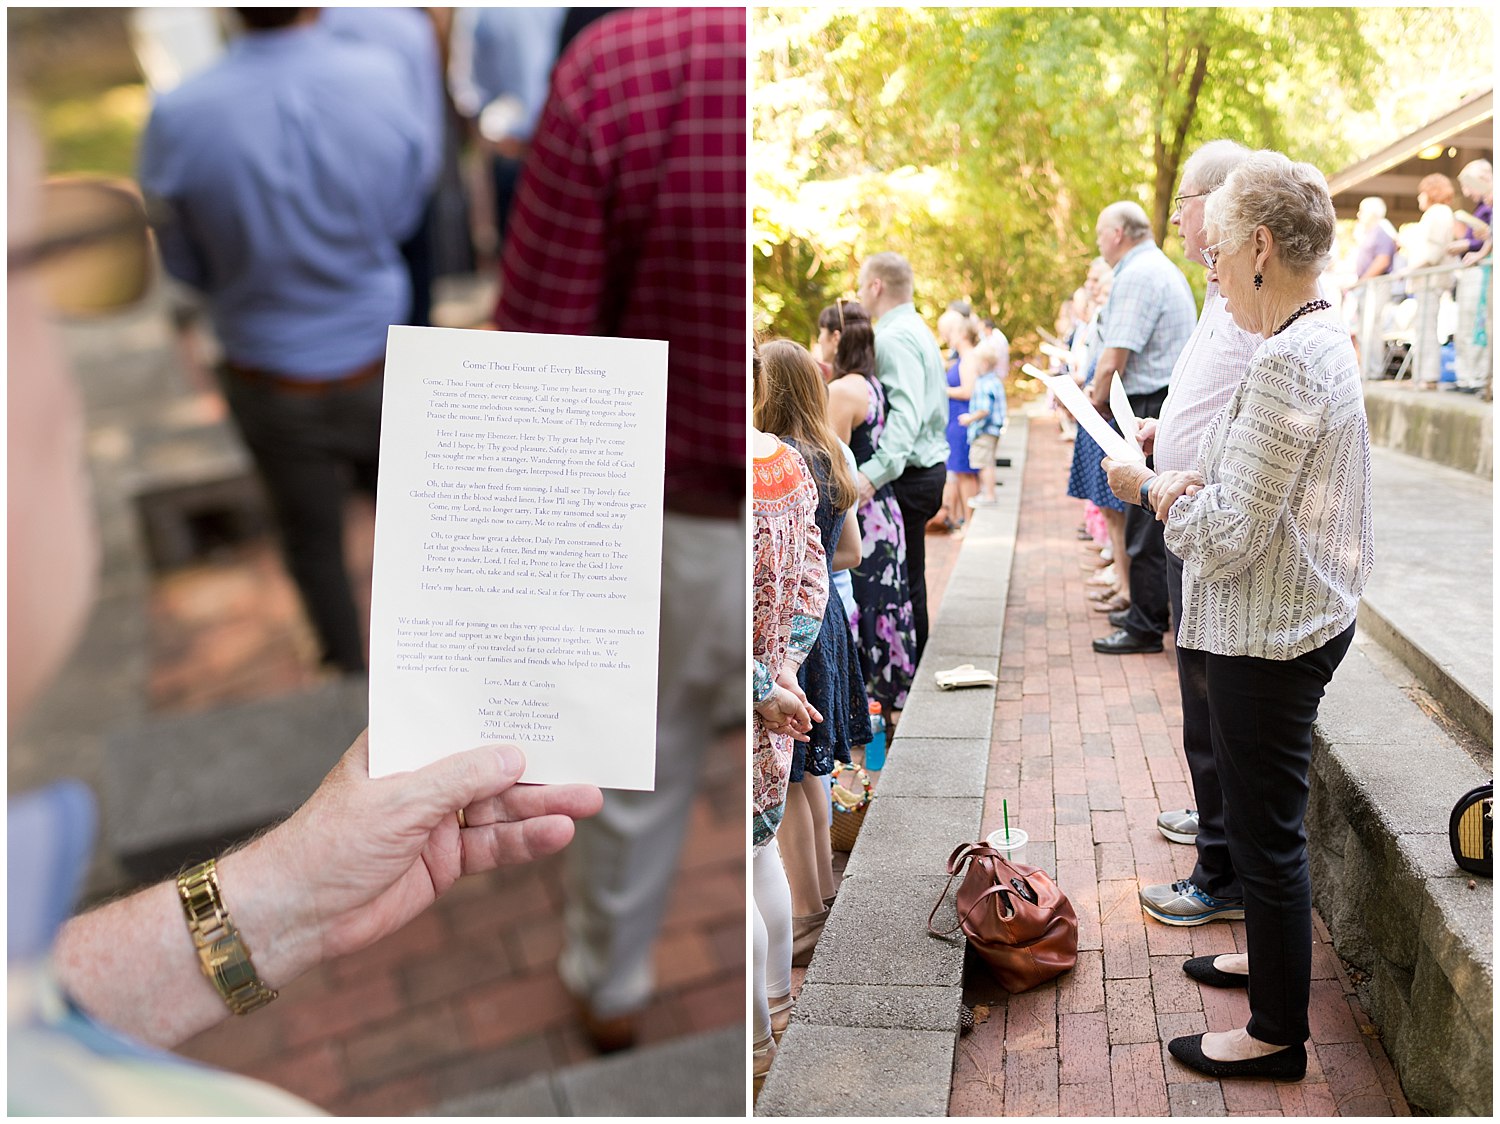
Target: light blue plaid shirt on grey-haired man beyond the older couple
[(1151, 313)]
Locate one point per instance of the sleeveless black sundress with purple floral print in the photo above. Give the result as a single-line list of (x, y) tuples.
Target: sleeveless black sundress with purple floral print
[(883, 618)]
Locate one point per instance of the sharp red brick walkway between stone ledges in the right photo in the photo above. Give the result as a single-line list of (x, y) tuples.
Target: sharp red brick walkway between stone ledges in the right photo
[(1088, 750)]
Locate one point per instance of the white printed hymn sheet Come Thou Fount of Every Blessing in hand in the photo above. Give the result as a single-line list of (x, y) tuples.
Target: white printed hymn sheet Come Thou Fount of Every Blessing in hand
[(518, 553)]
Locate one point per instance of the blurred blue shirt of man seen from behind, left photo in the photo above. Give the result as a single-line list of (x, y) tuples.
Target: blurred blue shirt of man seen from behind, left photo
[(286, 179)]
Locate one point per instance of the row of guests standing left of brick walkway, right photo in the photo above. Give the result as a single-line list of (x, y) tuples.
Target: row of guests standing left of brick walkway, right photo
[(856, 452)]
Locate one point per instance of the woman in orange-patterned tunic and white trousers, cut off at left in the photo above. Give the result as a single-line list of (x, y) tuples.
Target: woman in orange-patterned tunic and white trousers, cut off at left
[(791, 594)]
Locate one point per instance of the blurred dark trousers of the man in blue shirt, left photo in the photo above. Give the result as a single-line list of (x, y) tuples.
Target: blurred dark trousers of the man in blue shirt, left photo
[(310, 448)]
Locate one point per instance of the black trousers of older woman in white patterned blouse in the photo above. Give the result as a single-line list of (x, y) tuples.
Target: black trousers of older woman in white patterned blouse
[(1261, 720)]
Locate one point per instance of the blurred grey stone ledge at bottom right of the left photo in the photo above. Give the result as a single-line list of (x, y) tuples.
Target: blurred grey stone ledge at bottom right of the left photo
[(701, 1075)]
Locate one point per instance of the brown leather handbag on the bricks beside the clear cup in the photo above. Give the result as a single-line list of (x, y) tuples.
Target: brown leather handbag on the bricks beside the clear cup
[(1015, 916)]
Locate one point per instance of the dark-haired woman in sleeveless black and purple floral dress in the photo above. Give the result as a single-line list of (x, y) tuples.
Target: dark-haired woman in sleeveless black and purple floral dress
[(883, 621)]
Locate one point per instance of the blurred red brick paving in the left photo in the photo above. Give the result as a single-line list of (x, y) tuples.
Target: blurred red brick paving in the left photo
[(466, 999)]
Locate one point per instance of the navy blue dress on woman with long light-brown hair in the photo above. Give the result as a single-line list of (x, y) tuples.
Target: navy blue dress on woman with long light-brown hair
[(832, 676)]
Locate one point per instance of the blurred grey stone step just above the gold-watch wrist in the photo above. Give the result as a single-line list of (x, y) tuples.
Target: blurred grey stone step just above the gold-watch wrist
[(181, 789)]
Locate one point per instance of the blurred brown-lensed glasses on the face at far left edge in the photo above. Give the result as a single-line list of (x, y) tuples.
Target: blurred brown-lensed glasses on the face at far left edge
[(95, 250)]
